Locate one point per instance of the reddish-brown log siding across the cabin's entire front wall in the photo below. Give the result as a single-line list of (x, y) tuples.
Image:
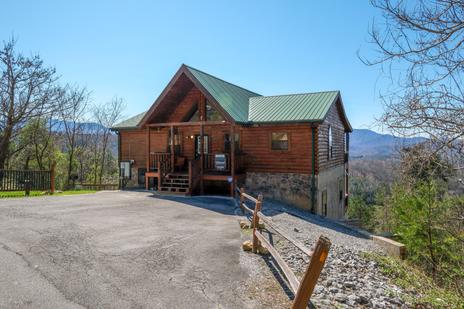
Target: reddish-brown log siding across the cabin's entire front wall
[(255, 142)]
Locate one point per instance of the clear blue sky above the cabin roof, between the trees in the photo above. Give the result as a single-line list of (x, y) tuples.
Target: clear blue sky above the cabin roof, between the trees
[(131, 49)]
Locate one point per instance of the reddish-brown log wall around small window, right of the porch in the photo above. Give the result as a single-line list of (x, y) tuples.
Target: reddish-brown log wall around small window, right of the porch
[(256, 143)]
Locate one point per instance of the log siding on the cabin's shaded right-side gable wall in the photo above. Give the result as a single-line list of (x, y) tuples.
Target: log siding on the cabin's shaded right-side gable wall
[(338, 131)]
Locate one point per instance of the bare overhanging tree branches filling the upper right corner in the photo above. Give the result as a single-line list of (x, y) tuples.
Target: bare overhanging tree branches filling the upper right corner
[(420, 46)]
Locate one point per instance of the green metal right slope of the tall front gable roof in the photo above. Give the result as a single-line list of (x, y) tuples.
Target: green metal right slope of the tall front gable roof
[(233, 99)]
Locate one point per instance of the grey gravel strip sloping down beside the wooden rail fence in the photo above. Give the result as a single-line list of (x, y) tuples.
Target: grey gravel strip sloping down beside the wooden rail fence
[(349, 279)]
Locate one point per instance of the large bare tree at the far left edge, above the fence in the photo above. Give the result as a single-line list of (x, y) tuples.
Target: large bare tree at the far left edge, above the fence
[(27, 91)]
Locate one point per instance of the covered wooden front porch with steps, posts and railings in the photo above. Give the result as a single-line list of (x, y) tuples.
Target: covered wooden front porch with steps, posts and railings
[(198, 152)]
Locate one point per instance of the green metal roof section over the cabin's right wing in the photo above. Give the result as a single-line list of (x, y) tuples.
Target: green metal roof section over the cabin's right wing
[(311, 107)]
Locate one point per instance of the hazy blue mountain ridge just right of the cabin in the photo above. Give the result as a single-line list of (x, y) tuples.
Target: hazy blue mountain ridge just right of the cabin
[(369, 144)]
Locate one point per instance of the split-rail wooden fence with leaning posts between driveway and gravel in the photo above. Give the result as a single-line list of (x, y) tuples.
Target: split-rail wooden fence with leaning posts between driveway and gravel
[(302, 289)]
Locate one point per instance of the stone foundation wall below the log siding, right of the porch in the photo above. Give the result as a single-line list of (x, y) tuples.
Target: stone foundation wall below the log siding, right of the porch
[(294, 189)]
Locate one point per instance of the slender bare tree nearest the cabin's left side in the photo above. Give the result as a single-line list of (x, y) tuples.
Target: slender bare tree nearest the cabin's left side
[(106, 116)]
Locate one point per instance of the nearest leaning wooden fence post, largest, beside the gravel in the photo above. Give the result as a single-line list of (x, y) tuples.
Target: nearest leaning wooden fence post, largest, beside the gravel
[(306, 287)]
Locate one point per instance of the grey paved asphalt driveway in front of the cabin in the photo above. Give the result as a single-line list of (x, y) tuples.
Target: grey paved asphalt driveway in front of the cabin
[(119, 250)]
